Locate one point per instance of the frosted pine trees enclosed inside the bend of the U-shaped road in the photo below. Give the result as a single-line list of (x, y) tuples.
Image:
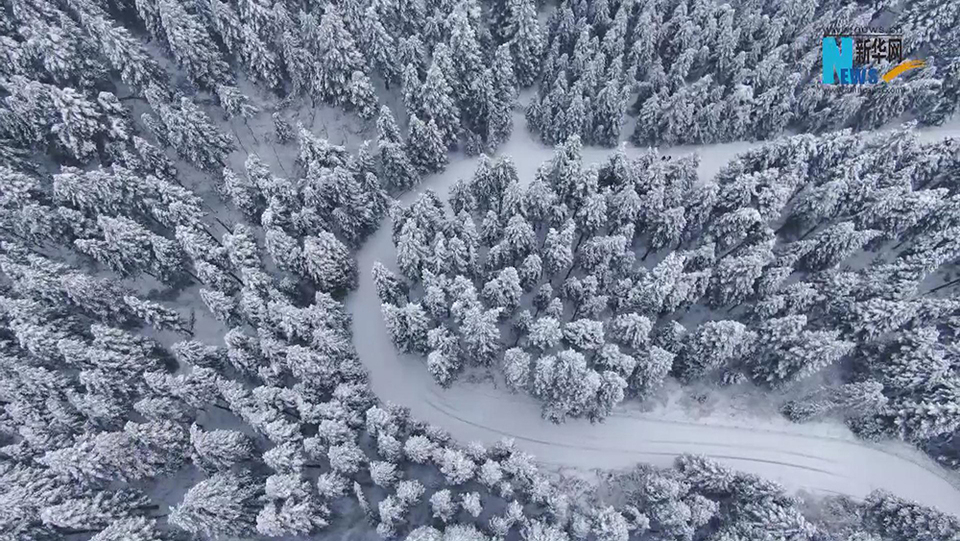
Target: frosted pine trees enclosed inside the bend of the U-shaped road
[(592, 284)]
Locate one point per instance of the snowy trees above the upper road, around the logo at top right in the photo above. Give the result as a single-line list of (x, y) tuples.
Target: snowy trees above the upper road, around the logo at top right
[(706, 72)]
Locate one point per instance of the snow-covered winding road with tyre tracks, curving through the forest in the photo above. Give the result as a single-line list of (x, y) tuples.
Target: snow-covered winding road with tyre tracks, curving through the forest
[(822, 458)]
